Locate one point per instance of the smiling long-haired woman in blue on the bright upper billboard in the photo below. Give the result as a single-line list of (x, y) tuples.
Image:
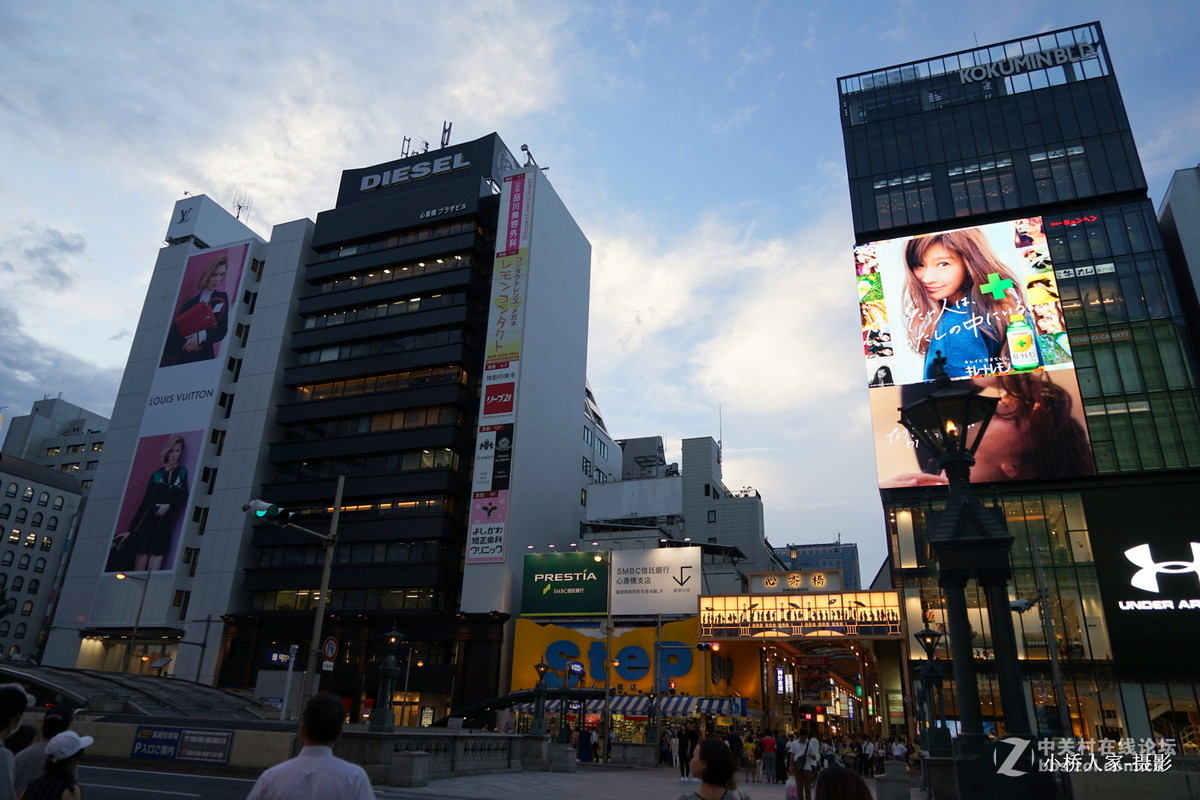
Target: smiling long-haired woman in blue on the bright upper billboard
[(961, 299)]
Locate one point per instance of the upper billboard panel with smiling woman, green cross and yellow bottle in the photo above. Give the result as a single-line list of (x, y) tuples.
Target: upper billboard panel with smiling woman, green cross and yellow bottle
[(985, 298)]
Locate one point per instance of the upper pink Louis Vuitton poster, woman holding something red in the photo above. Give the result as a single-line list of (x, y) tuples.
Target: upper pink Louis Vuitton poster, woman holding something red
[(200, 322)]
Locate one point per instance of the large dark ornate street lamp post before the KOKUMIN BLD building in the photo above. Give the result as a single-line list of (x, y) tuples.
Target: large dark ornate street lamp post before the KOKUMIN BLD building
[(971, 542)]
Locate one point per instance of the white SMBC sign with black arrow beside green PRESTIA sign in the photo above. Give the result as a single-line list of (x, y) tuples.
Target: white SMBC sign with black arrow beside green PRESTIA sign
[(664, 581)]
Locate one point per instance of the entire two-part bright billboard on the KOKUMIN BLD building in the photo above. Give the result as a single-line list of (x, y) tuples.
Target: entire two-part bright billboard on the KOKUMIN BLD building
[(987, 300)]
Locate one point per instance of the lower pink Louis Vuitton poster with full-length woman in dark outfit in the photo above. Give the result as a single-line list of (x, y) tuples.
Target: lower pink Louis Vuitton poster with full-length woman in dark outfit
[(155, 504)]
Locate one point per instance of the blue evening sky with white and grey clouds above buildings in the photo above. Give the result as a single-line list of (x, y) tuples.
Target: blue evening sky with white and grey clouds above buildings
[(698, 146)]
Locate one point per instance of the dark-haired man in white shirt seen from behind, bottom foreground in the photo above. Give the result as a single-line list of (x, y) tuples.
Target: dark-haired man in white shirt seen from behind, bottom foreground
[(316, 774)]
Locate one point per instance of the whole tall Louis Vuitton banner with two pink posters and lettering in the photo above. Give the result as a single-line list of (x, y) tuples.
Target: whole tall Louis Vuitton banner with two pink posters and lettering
[(178, 412)]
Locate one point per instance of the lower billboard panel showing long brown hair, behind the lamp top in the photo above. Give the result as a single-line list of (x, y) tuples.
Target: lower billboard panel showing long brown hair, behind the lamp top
[(1039, 431)]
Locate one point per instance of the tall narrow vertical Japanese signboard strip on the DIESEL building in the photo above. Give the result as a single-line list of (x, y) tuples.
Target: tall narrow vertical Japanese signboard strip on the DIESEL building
[(502, 371)]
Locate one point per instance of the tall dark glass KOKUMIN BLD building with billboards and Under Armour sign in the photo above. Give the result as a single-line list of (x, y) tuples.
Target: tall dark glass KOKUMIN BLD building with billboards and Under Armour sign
[(1001, 220)]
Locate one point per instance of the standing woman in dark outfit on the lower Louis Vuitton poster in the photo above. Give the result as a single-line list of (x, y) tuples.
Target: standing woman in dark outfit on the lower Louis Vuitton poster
[(151, 533)]
